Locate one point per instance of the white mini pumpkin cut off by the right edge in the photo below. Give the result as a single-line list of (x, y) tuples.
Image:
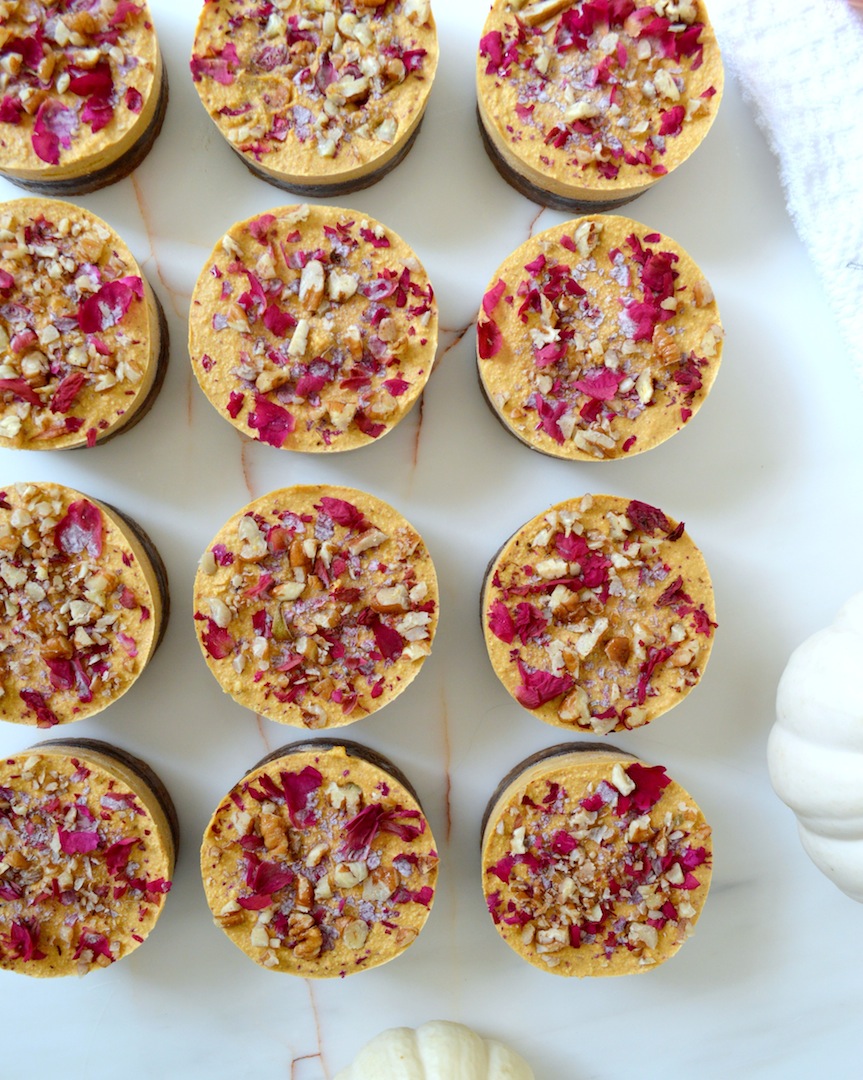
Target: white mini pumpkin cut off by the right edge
[(816, 747)]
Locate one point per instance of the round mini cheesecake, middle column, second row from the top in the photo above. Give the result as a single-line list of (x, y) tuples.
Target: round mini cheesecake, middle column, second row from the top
[(313, 329)]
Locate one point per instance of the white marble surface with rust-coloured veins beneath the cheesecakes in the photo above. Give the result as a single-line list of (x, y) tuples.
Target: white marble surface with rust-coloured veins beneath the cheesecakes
[(768, 479)]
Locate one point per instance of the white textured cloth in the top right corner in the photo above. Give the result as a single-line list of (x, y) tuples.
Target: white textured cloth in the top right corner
[(800, 64)]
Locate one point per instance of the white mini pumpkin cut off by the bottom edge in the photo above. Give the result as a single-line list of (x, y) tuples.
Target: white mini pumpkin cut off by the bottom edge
[(439, 1050)]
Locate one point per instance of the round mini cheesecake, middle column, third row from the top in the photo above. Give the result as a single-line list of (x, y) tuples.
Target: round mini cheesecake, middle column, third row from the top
[(316, 605)]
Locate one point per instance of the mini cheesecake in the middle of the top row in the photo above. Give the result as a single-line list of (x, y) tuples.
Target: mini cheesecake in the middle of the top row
[(317, 99)]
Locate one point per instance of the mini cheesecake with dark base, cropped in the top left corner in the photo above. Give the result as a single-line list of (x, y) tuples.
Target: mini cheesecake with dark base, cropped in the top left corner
[(83, 93)]
